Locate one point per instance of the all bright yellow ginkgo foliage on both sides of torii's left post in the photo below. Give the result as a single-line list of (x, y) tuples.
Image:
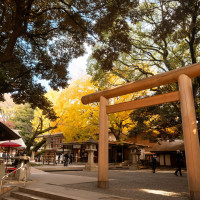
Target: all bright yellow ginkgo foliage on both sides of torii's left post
[(77, 121)]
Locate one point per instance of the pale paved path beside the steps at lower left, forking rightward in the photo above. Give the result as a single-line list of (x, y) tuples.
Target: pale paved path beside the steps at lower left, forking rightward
[(56, 183)]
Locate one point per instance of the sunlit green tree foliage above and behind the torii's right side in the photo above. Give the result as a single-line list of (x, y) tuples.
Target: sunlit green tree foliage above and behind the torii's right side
[(164, 35)]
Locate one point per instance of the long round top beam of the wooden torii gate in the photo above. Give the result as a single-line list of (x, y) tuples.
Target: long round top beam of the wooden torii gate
[(191, 71)]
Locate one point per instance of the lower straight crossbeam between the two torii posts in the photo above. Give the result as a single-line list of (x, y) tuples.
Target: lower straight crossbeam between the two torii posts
[(149, 101)]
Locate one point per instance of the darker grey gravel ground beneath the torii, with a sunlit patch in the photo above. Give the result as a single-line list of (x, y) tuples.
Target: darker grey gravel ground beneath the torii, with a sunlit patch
[(137, 185)]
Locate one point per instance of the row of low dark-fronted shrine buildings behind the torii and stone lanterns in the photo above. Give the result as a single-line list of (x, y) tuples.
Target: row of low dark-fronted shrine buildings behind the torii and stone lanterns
[(118, 151)]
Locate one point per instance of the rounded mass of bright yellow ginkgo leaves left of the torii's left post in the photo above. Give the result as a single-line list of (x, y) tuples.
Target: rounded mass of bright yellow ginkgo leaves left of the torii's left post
[(77, 121)]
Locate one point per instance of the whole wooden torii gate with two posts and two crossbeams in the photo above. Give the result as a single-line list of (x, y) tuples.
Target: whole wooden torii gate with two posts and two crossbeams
[(184, 95)]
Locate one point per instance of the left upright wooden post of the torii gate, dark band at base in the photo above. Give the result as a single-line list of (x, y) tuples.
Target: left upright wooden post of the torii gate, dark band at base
[(103, 145)]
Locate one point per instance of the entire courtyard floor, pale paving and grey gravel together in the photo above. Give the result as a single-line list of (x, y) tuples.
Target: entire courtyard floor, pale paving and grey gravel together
[(123, 184)]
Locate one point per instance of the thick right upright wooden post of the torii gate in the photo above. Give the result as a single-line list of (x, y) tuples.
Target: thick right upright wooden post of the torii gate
[(191, 139)]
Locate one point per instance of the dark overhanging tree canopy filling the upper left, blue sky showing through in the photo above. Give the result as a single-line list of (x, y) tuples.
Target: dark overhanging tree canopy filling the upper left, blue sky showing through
[(38, 39)]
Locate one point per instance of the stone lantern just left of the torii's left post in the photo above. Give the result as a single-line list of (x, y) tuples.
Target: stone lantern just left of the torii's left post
[(90, 148)]
